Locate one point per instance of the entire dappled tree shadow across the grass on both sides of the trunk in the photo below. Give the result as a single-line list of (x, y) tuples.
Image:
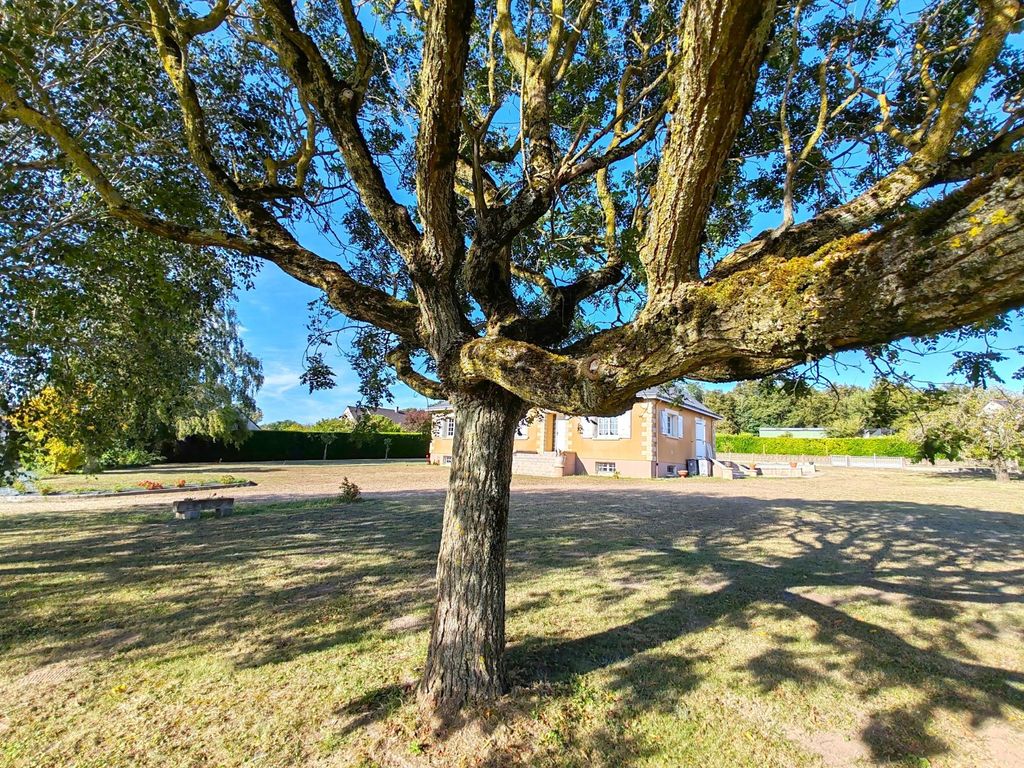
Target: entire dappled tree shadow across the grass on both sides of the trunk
[(261, 586)]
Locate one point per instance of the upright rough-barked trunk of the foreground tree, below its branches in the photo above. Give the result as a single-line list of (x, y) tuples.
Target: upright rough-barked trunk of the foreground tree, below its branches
[(465, 662)]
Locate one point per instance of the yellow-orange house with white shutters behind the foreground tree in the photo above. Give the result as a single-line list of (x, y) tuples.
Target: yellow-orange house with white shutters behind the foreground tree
[(657, 438)]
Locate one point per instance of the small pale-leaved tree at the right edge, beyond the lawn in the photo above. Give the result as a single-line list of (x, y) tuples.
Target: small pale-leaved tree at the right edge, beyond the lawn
[(976, 426)]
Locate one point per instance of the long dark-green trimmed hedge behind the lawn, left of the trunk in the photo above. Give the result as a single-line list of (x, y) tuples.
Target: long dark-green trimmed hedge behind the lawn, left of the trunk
[(271, 446)]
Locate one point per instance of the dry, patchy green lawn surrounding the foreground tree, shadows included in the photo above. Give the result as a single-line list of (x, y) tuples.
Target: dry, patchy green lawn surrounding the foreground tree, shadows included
[(854, 619)]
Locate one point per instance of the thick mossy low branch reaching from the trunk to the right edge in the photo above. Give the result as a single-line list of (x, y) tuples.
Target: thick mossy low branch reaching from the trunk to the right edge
[(936, 270)]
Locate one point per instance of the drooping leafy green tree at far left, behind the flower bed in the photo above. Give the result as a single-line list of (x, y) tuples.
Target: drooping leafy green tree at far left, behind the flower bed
[(132, 338)]
